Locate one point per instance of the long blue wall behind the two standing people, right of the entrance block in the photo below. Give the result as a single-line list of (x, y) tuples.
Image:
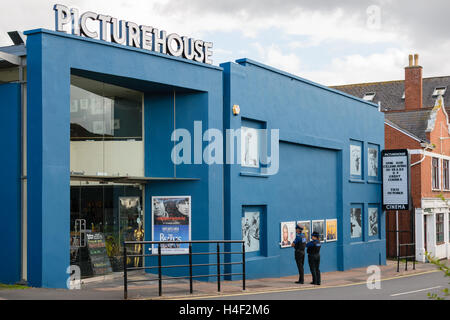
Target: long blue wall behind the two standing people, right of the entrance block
[(316, 126)]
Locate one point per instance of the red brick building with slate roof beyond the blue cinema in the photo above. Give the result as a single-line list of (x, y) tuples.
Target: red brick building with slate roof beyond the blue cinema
[(416, 119)]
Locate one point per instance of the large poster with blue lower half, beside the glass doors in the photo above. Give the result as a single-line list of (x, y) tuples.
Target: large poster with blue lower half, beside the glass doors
[(171, 217)]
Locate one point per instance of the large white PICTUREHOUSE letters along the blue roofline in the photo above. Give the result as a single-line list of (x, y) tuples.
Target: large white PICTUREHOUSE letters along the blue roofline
[(129, 33)]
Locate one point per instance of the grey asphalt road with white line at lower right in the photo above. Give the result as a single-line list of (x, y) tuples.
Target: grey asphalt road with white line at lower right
[(413, 287)]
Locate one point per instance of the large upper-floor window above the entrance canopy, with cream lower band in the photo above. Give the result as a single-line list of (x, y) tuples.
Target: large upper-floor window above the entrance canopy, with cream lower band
[(106, 129)]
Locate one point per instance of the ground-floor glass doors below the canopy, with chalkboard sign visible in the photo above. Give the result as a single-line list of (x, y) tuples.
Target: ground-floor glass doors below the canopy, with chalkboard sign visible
[(102, 217)]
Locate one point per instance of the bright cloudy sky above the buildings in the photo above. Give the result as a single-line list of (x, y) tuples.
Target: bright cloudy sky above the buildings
[(327, 41)]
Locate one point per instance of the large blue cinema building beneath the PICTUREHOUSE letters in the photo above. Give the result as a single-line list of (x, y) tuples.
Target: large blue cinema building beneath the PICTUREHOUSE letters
[(88, 142)]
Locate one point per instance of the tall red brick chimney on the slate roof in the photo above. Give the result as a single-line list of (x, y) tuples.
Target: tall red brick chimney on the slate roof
[(413, 84)]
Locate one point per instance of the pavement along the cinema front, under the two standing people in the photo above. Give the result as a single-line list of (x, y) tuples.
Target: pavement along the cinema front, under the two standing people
[(111, 288)]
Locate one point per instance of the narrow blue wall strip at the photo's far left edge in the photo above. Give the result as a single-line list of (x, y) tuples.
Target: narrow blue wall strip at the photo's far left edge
[(10, 216)]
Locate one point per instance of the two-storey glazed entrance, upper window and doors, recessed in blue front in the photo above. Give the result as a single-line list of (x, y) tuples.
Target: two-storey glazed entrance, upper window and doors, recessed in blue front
[(106, 151)]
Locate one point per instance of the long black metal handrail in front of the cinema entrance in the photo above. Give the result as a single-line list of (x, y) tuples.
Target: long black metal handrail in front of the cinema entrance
[(190, 265)]
